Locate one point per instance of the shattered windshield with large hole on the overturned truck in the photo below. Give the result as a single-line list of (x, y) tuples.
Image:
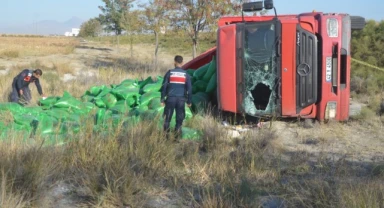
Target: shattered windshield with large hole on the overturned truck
[(260, 78)]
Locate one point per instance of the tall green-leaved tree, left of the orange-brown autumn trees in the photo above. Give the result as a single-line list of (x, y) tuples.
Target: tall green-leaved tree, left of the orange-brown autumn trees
[(112, 14)]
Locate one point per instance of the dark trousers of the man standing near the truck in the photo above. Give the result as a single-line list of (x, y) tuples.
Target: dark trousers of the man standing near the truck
[(172, 104)]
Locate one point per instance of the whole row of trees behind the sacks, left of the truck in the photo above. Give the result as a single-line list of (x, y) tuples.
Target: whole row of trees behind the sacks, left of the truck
[(190, 16)]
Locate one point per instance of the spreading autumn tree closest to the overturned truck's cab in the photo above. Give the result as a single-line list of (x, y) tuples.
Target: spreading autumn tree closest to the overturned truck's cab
[(195, 16)]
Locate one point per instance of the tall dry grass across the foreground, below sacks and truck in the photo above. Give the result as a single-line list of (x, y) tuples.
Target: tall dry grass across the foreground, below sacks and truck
[(137, 167)]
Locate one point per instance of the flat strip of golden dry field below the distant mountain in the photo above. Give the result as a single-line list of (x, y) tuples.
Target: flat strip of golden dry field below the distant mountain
[(13, 47)]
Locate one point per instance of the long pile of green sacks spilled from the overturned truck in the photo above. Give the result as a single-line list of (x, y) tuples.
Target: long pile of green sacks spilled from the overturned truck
[(125, 104)]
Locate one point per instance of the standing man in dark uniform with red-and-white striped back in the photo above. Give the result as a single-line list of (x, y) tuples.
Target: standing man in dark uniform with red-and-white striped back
[(175, 92)]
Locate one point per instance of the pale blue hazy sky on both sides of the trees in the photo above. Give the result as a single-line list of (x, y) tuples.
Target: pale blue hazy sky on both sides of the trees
[(17, 12)]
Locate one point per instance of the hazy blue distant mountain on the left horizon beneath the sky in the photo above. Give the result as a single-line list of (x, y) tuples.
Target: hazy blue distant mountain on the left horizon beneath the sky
[(44, 27)]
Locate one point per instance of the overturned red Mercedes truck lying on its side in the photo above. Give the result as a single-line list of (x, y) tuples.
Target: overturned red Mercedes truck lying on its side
[(283, 65)]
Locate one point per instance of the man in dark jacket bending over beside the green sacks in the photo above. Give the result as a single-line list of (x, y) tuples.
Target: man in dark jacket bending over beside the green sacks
[(20, 90)]
